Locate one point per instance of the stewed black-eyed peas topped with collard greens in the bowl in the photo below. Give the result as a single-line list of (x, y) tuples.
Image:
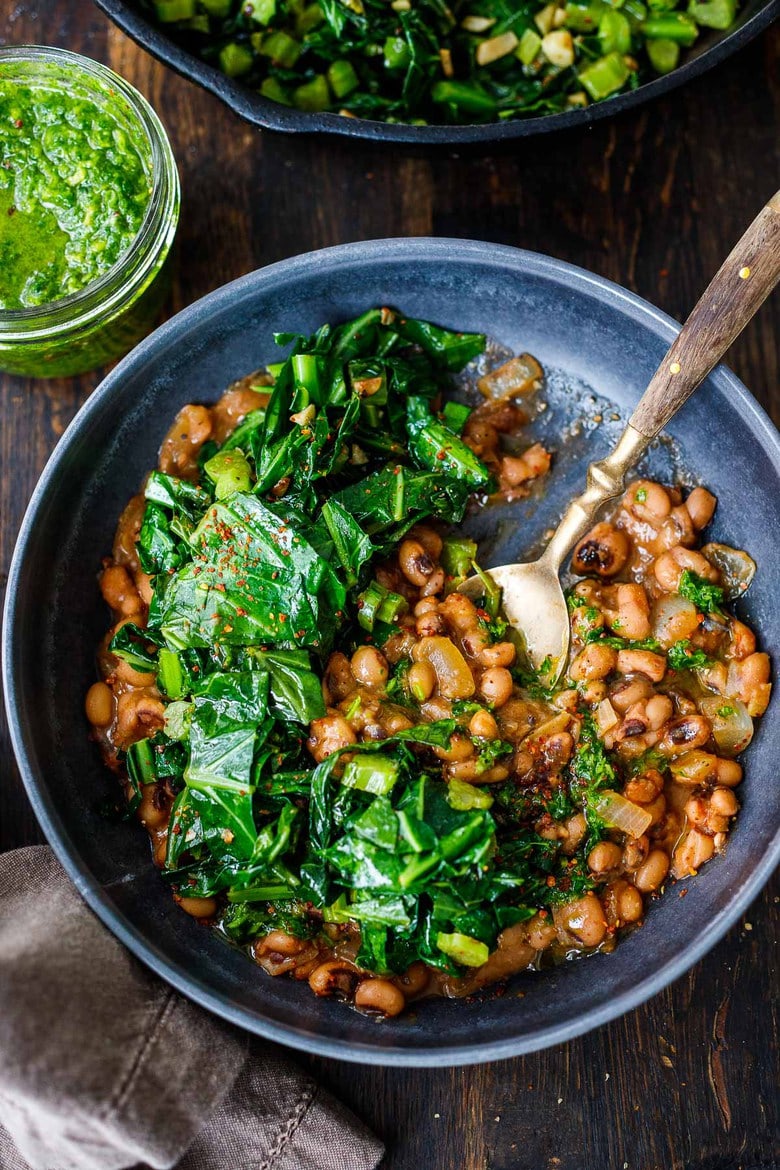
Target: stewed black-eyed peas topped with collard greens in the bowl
[(346, 766)]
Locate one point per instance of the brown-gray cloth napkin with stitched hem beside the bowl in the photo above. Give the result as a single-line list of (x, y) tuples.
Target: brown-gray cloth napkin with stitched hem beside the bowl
[(103, 1066)]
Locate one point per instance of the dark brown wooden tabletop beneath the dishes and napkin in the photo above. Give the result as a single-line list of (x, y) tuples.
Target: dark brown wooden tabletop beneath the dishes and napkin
[(653, 199)]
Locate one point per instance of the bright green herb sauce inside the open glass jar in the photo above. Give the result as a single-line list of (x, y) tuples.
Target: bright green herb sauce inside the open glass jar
[(74, 190)]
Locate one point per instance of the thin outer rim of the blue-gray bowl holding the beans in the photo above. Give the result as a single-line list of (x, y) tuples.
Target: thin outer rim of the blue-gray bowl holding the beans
[(190, 982)]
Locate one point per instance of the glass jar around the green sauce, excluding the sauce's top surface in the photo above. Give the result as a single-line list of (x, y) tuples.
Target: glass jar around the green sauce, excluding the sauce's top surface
[(107, 318)]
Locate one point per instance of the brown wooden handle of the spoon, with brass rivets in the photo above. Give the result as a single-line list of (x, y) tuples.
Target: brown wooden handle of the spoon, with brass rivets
[(733, 298)]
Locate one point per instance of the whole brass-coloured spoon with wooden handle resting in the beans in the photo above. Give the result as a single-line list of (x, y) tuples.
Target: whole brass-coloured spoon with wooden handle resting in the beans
[(533, 597)]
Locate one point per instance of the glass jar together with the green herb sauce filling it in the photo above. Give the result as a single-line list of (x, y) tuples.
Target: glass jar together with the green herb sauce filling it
[(89, 208)]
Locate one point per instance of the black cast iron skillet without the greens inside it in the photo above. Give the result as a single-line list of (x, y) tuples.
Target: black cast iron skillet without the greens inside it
[(710, 49)]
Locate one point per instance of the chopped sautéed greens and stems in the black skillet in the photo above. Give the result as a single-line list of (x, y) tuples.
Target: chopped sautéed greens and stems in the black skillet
[(474, 61)]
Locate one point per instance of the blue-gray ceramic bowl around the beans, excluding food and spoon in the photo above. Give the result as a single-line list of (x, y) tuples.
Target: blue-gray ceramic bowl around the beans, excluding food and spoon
[(571, 321)]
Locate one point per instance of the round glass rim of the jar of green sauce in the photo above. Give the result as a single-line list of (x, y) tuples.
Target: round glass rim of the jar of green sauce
[(111, 291)]
